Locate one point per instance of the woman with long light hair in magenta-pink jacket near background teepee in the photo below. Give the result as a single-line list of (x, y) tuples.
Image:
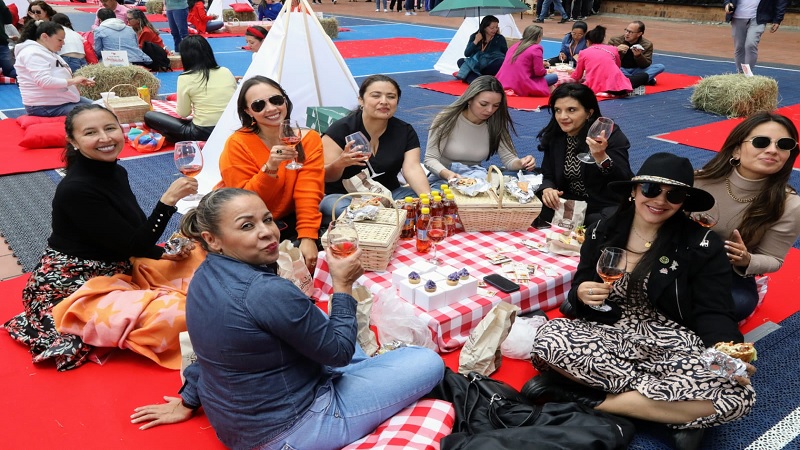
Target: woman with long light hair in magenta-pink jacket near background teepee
[(523, 70)]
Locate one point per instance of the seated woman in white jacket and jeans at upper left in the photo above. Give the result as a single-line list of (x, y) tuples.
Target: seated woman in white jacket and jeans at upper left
[(46, 83)]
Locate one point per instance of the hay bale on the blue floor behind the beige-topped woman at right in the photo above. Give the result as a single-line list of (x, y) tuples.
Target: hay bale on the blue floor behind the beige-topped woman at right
[(735, 95)]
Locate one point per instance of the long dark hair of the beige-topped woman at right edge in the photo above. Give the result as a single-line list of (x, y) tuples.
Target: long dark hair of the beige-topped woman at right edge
[(770, 204)]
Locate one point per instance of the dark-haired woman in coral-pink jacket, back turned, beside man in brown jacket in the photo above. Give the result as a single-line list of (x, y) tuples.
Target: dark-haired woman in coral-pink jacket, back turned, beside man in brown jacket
[(599, 67)]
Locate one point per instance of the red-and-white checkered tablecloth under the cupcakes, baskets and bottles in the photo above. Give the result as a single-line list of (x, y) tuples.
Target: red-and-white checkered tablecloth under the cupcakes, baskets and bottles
[(452, 324)]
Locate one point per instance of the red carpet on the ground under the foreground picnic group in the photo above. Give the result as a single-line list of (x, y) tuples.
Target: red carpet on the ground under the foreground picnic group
[(90, 406)]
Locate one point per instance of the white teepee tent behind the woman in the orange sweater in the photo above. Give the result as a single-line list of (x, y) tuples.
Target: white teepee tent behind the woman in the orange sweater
[(302, 58)]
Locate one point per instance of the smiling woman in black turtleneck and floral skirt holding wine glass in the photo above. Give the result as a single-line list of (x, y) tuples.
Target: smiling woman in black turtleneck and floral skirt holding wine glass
[(97, 227)]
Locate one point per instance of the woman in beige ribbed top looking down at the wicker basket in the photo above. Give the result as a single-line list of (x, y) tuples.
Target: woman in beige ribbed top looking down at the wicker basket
[(473, 129)]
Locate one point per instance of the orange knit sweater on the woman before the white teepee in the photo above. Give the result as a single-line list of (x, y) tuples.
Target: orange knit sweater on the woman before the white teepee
[(298, 191)]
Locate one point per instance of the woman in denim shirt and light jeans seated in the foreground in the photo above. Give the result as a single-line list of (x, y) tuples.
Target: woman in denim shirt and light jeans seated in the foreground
[(273, 371)]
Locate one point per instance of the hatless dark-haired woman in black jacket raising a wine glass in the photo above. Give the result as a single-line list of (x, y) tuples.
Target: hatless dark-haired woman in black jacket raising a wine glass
[(575, 109)]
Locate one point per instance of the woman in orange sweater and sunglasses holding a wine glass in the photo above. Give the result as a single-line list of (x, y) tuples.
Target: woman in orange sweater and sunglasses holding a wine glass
[(255, 159)]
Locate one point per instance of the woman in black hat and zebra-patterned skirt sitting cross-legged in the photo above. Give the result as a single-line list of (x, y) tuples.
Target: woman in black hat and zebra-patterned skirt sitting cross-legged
[(643, 356)]
